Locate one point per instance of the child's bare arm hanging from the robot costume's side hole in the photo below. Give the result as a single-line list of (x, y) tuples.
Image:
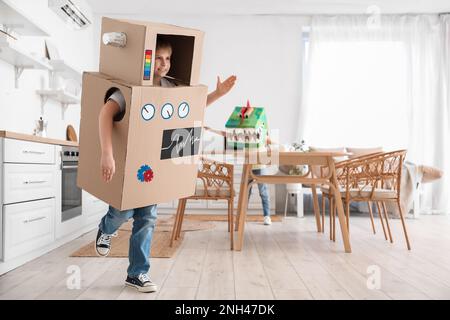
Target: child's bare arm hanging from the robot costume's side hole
[(105, 124)]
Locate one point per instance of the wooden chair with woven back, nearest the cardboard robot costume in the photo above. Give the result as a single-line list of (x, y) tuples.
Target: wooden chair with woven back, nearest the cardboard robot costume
[(215, 183)]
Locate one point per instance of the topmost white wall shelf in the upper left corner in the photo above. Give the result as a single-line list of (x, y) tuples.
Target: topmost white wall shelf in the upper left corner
[(14, 20)]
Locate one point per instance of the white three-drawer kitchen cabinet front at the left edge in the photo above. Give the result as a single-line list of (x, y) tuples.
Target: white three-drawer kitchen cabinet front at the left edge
[(28, 196)]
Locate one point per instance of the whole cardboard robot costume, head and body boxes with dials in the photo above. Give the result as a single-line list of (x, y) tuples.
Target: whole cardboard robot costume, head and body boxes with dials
[(157, 140)]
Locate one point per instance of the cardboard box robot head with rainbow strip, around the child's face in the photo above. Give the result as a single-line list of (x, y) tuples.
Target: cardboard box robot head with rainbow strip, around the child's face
[(128, 48)]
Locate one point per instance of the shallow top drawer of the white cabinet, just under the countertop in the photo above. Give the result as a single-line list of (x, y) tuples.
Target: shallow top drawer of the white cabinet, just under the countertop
[(18, 151)]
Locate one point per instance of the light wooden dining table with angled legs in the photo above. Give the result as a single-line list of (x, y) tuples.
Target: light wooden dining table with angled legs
[(248, 158)]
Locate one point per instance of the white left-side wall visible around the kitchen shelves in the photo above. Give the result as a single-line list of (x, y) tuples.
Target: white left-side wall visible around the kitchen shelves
[(19, 108)]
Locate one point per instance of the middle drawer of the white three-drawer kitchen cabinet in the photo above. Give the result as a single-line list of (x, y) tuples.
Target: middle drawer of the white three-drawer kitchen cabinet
[(24, 182)]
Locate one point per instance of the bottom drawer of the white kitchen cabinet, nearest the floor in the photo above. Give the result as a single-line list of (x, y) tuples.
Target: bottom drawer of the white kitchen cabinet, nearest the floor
[(28, 226)]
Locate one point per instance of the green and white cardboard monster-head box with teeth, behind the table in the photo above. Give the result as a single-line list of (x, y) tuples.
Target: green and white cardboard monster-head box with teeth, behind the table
[(246, 128)]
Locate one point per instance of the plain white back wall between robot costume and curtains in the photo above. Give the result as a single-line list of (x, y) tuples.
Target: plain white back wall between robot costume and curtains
[(263, 51)]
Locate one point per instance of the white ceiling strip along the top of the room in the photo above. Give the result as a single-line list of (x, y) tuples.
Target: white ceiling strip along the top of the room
[(274, 7)]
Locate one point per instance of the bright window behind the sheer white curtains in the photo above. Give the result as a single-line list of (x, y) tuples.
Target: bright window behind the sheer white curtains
[(356, 94)]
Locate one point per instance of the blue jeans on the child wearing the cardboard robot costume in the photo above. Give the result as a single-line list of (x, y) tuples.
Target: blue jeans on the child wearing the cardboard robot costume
[(141, 234)]
